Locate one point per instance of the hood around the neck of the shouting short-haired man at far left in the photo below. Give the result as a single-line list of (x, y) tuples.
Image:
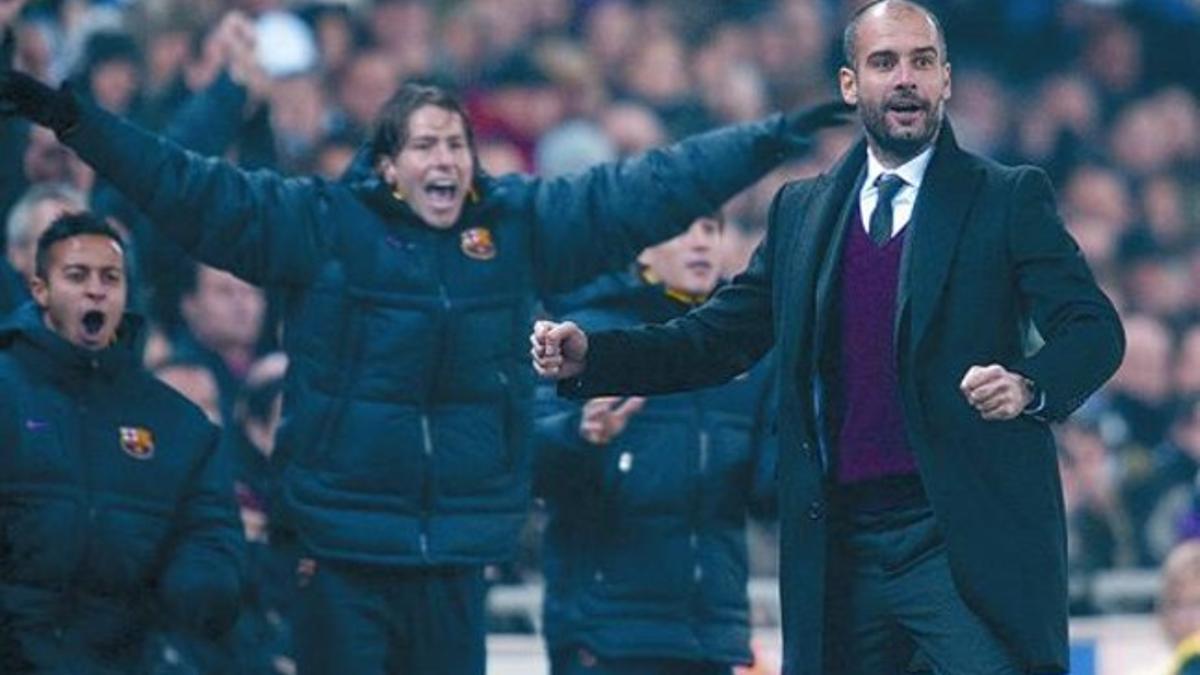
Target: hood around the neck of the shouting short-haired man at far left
[(26, 331)]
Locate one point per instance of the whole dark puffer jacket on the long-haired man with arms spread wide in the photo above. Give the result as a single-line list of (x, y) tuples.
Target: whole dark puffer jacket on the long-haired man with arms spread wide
[(409, 402)]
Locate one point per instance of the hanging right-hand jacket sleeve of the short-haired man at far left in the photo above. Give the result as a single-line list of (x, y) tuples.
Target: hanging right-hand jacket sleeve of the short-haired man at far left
[(201, 584)]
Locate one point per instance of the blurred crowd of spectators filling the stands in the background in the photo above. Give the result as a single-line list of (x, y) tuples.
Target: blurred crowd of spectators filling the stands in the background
[(1105, 95)]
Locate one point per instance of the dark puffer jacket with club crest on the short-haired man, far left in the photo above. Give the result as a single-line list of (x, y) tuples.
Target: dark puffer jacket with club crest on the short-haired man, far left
[(117, 512)]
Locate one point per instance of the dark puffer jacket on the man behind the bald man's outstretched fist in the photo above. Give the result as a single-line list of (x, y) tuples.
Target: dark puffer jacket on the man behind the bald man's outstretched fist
[(645, 548)]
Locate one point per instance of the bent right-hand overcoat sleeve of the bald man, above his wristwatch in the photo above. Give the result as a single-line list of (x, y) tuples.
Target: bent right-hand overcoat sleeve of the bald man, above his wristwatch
[(1083, 334)]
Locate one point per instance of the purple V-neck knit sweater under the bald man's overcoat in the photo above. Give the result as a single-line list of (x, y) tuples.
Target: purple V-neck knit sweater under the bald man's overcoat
[(872, 441)]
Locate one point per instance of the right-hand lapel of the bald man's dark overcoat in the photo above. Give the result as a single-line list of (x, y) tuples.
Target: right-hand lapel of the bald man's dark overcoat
[(939, 217)]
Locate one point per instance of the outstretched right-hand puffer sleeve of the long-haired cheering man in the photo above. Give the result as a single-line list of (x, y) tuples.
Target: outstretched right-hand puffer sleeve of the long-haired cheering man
[(599, 220)]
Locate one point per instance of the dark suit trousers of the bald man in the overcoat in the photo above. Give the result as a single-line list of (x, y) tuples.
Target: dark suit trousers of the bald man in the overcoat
[(892, 606)]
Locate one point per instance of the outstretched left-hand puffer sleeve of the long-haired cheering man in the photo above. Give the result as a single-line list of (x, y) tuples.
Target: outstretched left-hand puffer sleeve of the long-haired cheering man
[(260, 226)]
